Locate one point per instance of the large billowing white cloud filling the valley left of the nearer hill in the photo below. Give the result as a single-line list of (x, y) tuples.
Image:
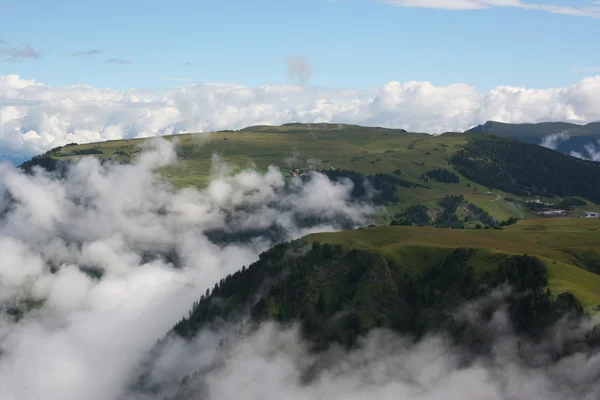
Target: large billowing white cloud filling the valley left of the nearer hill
[(105, 259)]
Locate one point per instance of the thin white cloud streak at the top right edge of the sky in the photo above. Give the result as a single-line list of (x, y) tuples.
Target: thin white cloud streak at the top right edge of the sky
[(581, 10)]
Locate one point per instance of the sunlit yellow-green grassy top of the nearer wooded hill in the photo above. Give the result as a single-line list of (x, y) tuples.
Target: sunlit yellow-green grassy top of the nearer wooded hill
[(561, 243)]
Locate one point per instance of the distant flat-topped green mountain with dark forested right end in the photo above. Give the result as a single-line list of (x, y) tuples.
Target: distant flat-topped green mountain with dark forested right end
[(369, 151)]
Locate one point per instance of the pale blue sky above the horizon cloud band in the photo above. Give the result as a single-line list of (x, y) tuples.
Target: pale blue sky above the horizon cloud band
[(349, 43)]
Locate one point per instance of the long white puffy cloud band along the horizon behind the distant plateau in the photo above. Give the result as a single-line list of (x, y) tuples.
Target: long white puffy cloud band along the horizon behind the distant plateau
[(35, 117)]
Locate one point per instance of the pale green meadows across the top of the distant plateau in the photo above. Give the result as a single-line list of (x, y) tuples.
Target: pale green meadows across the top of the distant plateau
[(366, 150)]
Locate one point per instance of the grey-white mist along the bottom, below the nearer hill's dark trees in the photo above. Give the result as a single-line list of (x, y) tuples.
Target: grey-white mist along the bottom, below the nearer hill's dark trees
[(273, 363)]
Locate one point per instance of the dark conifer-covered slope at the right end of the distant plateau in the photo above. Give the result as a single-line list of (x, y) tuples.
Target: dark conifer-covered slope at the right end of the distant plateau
[(525, 169)]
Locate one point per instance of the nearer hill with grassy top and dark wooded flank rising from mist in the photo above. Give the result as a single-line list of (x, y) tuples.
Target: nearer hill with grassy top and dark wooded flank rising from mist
[(339, 286)]
